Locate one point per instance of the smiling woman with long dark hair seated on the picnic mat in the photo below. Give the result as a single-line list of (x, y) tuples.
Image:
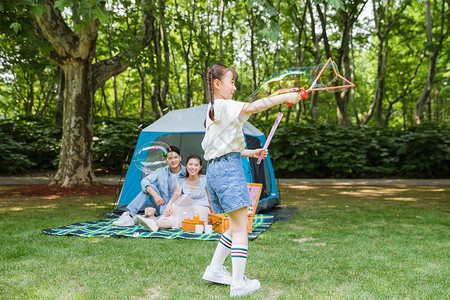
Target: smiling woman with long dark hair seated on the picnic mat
[(190, 198)]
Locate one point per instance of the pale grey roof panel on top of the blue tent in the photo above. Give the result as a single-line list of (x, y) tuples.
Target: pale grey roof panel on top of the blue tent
[(190, 120)]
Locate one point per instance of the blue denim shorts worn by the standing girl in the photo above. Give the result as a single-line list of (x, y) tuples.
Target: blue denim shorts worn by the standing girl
[(226, 183)]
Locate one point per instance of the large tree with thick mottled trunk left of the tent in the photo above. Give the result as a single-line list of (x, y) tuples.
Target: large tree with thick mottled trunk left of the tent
[(72, 44)]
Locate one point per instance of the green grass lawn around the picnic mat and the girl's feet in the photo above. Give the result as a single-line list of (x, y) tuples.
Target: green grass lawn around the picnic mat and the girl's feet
[(343, 243)]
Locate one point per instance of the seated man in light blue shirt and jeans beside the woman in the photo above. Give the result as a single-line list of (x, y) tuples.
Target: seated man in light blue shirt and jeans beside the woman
[(158, 187)]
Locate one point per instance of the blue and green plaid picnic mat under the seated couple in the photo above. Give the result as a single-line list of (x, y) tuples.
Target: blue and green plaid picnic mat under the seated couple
[(104, 228)]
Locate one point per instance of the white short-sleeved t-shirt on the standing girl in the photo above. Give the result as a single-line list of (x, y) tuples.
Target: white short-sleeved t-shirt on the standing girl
[(225, 134)]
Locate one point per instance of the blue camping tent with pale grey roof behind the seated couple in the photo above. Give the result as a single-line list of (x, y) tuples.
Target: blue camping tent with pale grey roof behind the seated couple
[(184, 128)]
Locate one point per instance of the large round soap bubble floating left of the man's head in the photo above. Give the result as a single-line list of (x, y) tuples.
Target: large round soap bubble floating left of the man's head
[(151, 156)]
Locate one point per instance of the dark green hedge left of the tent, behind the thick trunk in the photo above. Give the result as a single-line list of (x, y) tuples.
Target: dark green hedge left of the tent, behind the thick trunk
[(30, 144)]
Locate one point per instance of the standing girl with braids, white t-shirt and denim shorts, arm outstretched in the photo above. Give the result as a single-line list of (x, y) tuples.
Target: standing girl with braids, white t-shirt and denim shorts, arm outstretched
[(224, 145)]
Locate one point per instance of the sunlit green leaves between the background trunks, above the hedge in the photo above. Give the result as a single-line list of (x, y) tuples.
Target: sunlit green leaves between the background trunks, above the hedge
[(280, 38)]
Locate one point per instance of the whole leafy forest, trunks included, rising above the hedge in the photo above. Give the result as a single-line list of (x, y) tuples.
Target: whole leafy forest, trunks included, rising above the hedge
[(396, 52)]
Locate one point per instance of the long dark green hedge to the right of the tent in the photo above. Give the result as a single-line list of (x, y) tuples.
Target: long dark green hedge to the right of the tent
[(326, 151)]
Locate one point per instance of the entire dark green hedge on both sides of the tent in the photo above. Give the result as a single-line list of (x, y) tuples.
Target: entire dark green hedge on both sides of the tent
[(31, 144)]
